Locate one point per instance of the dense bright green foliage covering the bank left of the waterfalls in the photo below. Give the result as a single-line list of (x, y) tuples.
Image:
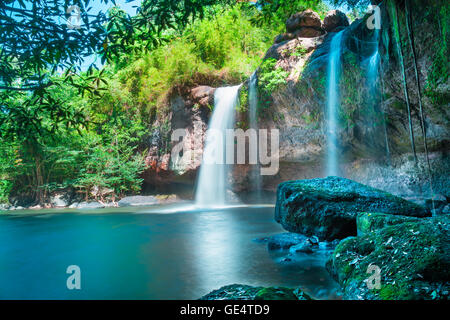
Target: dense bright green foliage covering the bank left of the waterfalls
[(88, 130)]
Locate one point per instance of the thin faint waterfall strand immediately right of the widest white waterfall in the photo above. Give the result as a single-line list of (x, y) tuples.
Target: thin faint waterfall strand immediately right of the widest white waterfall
[(256, 178)]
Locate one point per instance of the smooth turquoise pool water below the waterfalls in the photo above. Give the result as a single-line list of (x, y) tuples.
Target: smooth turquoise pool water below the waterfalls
[(134, 254)]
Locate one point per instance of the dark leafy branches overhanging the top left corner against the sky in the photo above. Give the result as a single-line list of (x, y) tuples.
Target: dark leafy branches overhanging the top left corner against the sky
[(39, 39)]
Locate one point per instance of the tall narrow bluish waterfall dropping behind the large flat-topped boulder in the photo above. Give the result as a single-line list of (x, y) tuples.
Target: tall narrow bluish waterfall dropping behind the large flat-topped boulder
[(334, 62)]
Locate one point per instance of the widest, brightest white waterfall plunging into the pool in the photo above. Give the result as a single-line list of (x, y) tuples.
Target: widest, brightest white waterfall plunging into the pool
[(212, 183)]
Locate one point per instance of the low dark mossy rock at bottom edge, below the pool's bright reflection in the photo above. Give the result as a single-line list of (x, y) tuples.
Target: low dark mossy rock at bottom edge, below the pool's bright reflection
[(245, 292)]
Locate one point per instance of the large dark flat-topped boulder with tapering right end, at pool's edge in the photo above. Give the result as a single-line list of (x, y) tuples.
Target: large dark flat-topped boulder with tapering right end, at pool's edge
[(328, 207)]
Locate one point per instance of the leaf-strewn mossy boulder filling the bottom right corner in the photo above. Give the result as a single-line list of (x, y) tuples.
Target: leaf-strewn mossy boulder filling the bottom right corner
[(412, 258)]
